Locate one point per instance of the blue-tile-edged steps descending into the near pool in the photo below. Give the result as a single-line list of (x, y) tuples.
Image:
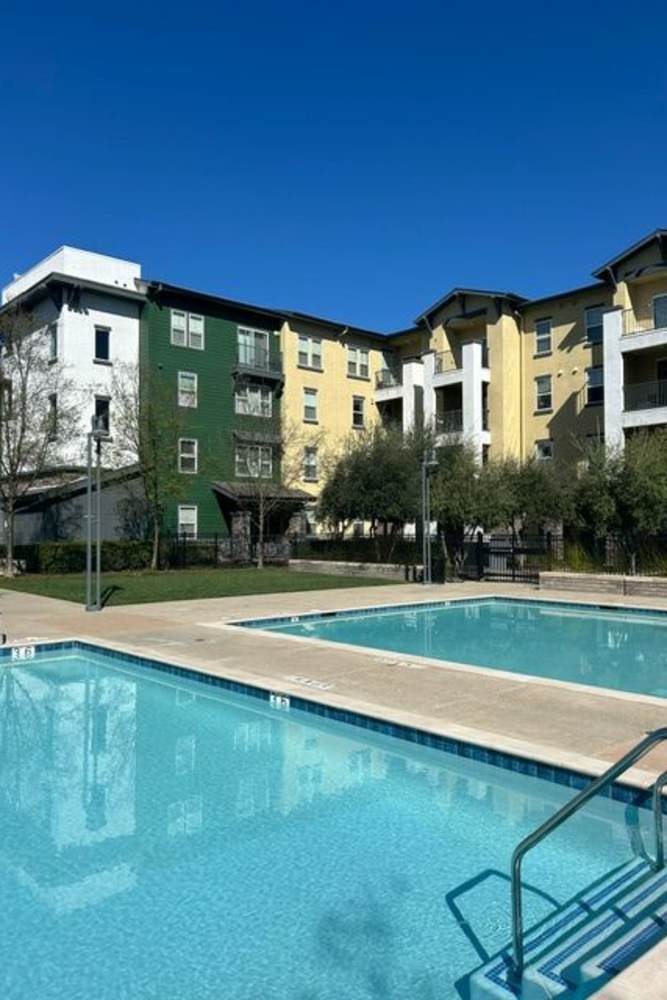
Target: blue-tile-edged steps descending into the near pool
[(586, 942)]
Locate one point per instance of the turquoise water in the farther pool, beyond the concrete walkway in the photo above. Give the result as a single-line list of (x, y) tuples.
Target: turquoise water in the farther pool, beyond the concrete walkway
[(624, 650)]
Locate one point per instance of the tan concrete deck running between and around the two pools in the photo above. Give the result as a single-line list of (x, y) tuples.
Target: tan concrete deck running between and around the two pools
[(574, 727)]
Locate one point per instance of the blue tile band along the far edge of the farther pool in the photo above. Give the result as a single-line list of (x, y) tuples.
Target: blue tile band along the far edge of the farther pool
[(292, 619)]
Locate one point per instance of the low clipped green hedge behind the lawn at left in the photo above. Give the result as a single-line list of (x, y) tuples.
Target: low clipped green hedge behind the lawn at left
[(70, 557)]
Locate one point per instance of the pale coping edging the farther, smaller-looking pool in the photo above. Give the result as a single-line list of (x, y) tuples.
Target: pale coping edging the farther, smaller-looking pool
[(255, 625)]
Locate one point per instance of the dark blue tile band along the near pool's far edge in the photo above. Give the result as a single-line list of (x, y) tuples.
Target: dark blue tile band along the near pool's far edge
[(555, 774)]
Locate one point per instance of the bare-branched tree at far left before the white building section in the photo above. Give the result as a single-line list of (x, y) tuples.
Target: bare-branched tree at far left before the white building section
[(38, 413)]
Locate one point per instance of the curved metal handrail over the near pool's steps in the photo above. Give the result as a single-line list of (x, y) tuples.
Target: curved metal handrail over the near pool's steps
[(534, 838)]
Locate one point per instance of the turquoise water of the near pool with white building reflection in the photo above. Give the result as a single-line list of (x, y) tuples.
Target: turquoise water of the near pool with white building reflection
[(162, 839)]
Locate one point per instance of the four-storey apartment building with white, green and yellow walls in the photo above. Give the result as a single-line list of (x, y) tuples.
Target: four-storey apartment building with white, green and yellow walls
[(508, 375)]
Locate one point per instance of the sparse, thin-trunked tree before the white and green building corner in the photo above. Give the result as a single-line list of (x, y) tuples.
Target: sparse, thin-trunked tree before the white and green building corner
[(147, 425)]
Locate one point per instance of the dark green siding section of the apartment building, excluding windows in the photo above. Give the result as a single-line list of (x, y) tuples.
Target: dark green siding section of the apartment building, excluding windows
[(214, 422)]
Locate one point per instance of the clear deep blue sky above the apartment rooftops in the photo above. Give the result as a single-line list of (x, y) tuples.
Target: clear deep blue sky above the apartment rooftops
[(350, 159)]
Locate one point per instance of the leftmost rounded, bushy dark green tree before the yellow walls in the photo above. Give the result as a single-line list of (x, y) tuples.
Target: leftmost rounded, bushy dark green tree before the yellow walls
[(375, 479)]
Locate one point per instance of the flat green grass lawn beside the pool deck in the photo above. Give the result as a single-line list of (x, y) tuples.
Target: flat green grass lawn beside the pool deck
[(180, 585)]
